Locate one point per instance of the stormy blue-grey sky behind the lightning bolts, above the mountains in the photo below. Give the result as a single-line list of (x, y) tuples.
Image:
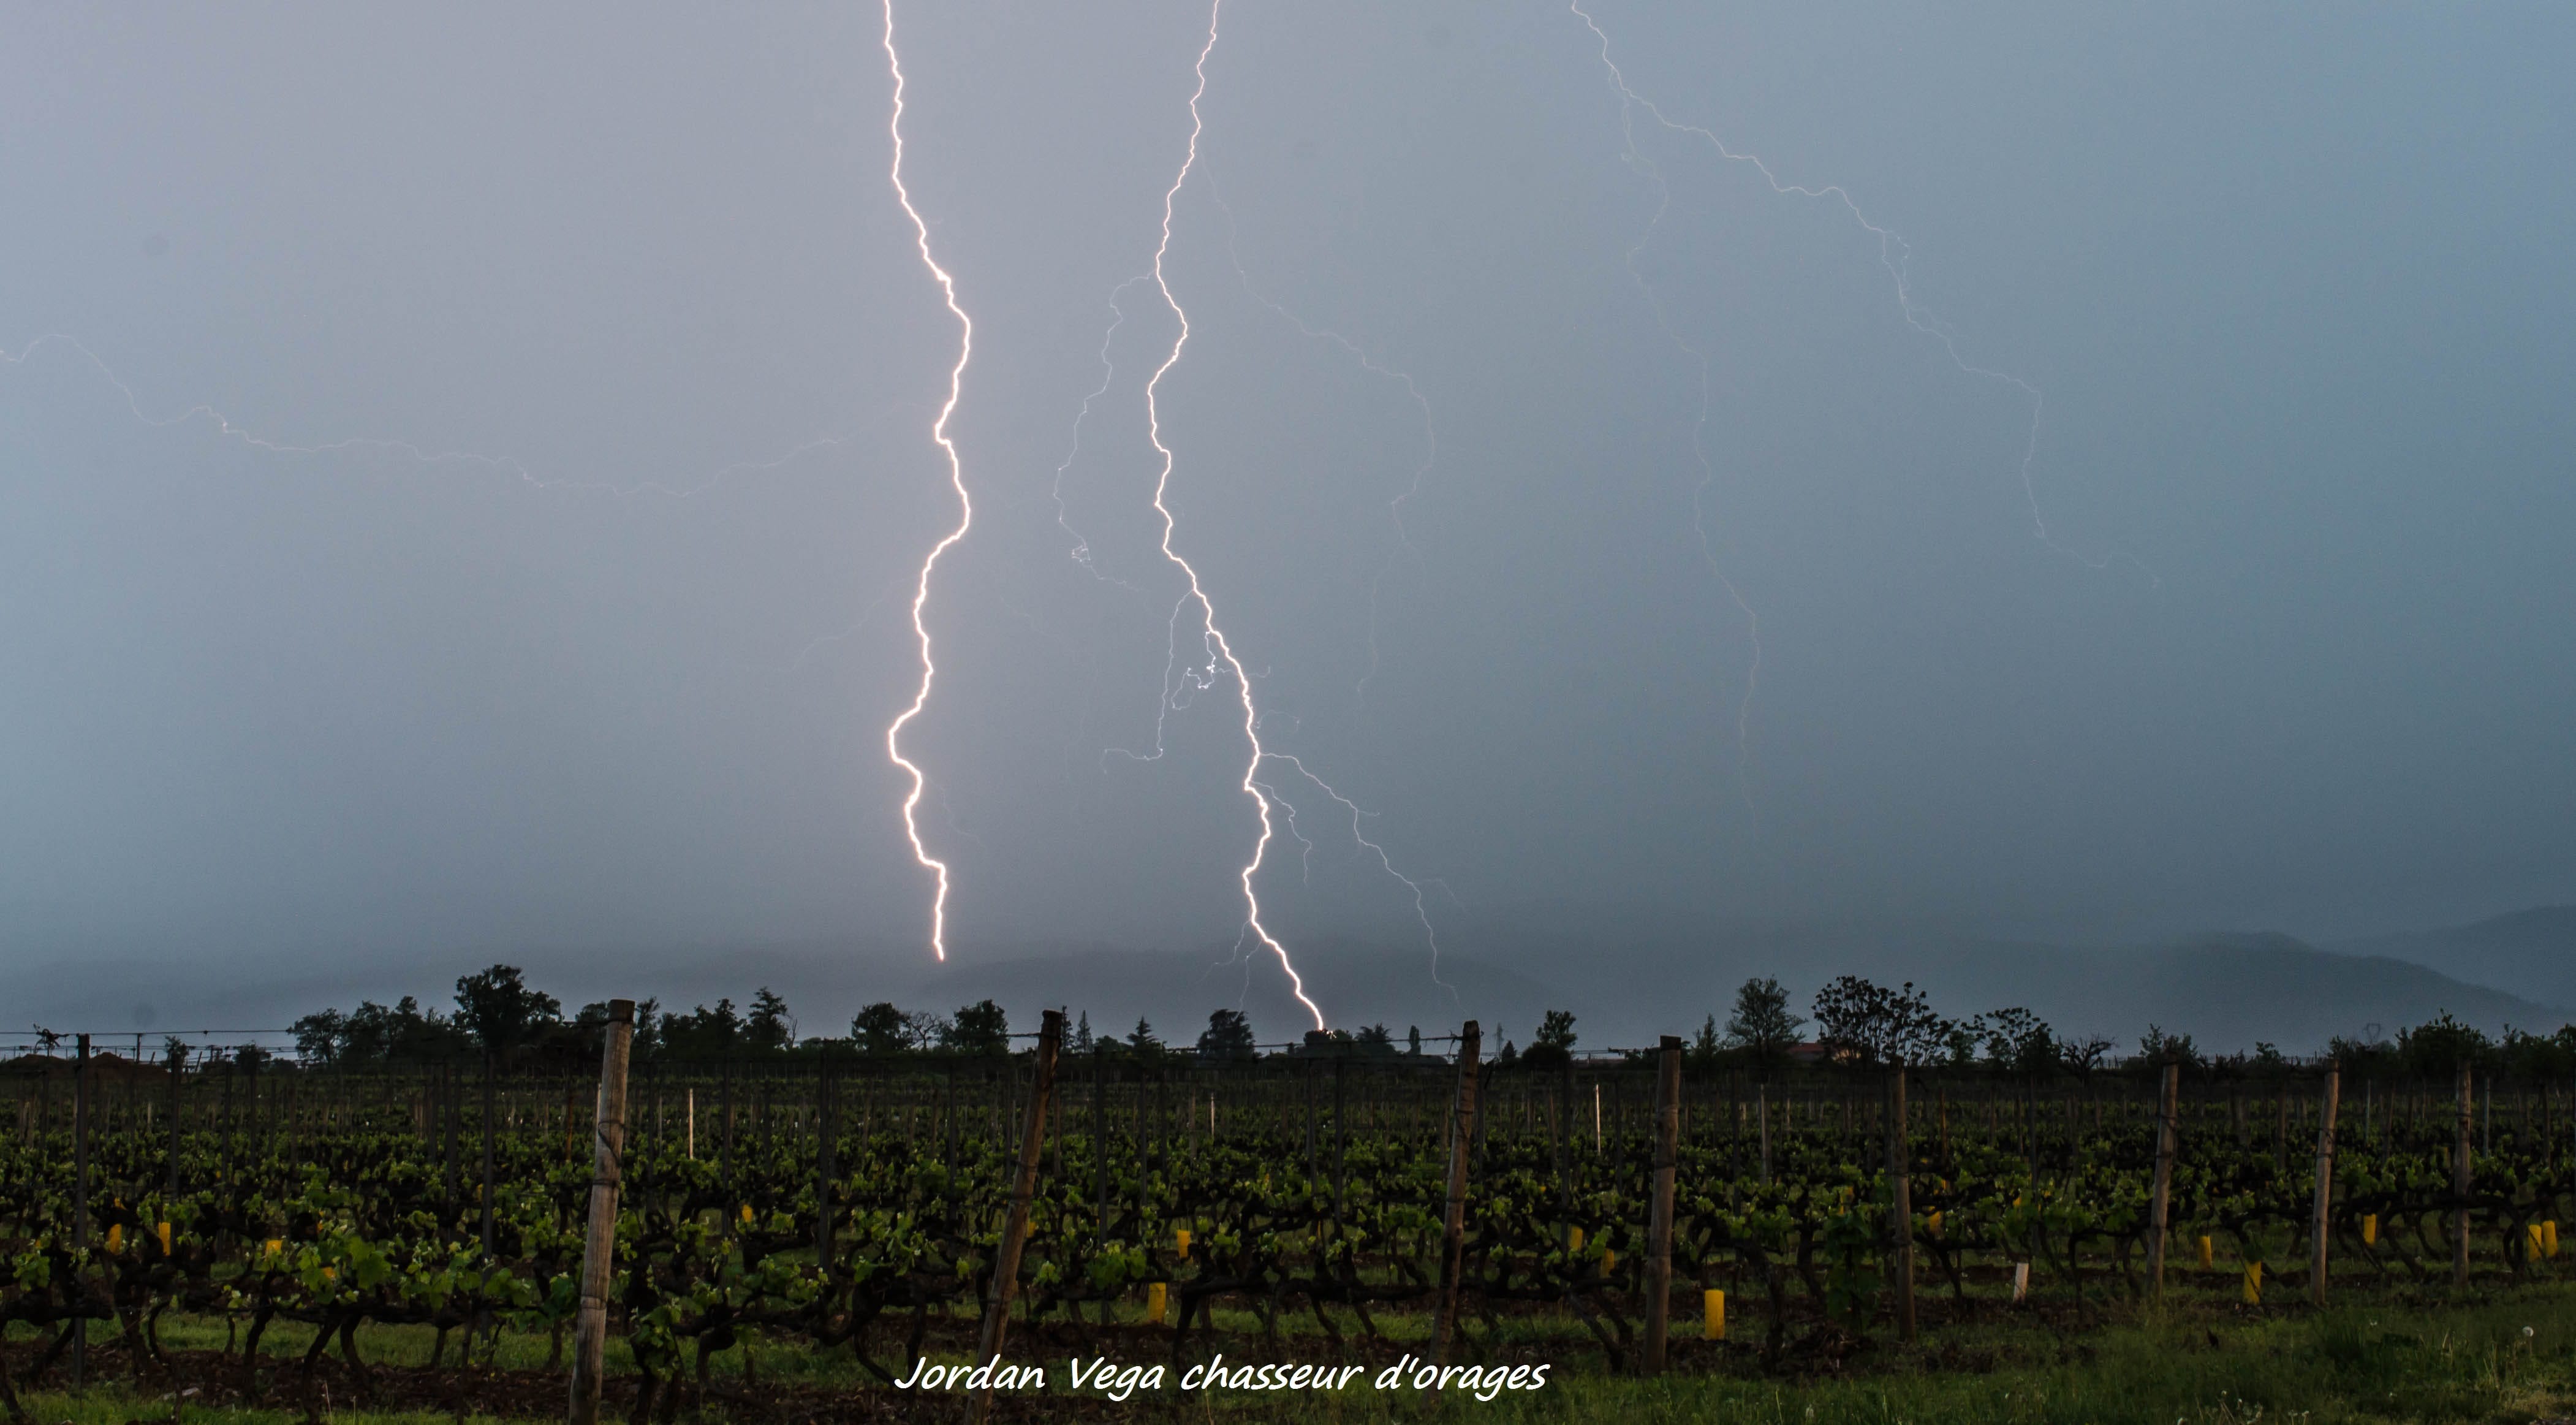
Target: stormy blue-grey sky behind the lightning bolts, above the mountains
[(2297, 651)]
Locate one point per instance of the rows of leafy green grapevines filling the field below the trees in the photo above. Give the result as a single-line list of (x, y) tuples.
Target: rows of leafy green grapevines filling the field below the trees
[(1297, 1202)]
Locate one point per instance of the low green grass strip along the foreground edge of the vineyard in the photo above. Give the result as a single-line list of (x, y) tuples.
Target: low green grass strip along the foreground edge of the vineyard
[(2508, 1357)]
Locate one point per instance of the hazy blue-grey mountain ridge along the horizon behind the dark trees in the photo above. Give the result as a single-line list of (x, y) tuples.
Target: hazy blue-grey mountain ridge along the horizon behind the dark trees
[(1624, 980)]
